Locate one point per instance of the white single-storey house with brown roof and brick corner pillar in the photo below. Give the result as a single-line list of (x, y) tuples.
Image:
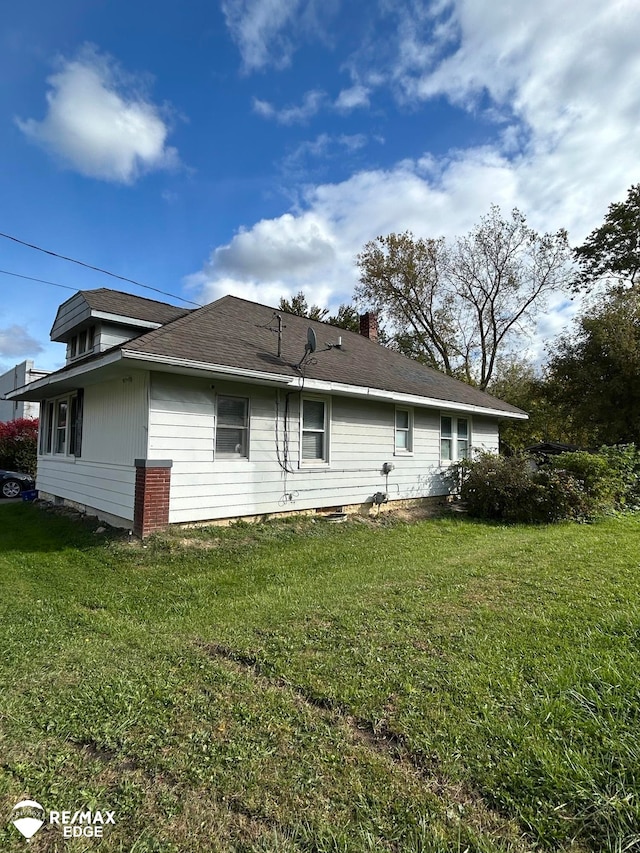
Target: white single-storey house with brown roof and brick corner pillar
[(166, 415)]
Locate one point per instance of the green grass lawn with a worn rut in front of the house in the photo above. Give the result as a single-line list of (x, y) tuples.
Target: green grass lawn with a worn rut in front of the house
[(300, 686)]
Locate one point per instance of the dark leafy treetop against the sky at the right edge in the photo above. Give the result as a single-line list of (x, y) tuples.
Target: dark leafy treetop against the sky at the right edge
[(613, 249)]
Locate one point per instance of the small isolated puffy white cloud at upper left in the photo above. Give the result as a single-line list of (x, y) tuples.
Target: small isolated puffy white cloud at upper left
[(98, 124)]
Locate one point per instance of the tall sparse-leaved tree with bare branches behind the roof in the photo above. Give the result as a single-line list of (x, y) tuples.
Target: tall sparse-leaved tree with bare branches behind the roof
[(457, 307)]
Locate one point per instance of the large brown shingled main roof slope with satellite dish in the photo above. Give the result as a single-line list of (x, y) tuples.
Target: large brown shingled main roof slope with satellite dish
[(240, 334)]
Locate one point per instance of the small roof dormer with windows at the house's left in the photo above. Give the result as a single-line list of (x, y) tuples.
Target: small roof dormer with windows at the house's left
[(93, 321)]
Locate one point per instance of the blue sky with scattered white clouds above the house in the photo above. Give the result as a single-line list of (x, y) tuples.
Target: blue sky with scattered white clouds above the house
[(253, 146)]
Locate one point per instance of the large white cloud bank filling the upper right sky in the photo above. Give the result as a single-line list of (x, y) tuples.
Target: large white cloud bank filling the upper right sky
[(563, 82)]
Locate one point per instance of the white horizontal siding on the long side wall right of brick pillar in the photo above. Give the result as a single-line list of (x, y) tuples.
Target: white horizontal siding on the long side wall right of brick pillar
[(182, 428)]
